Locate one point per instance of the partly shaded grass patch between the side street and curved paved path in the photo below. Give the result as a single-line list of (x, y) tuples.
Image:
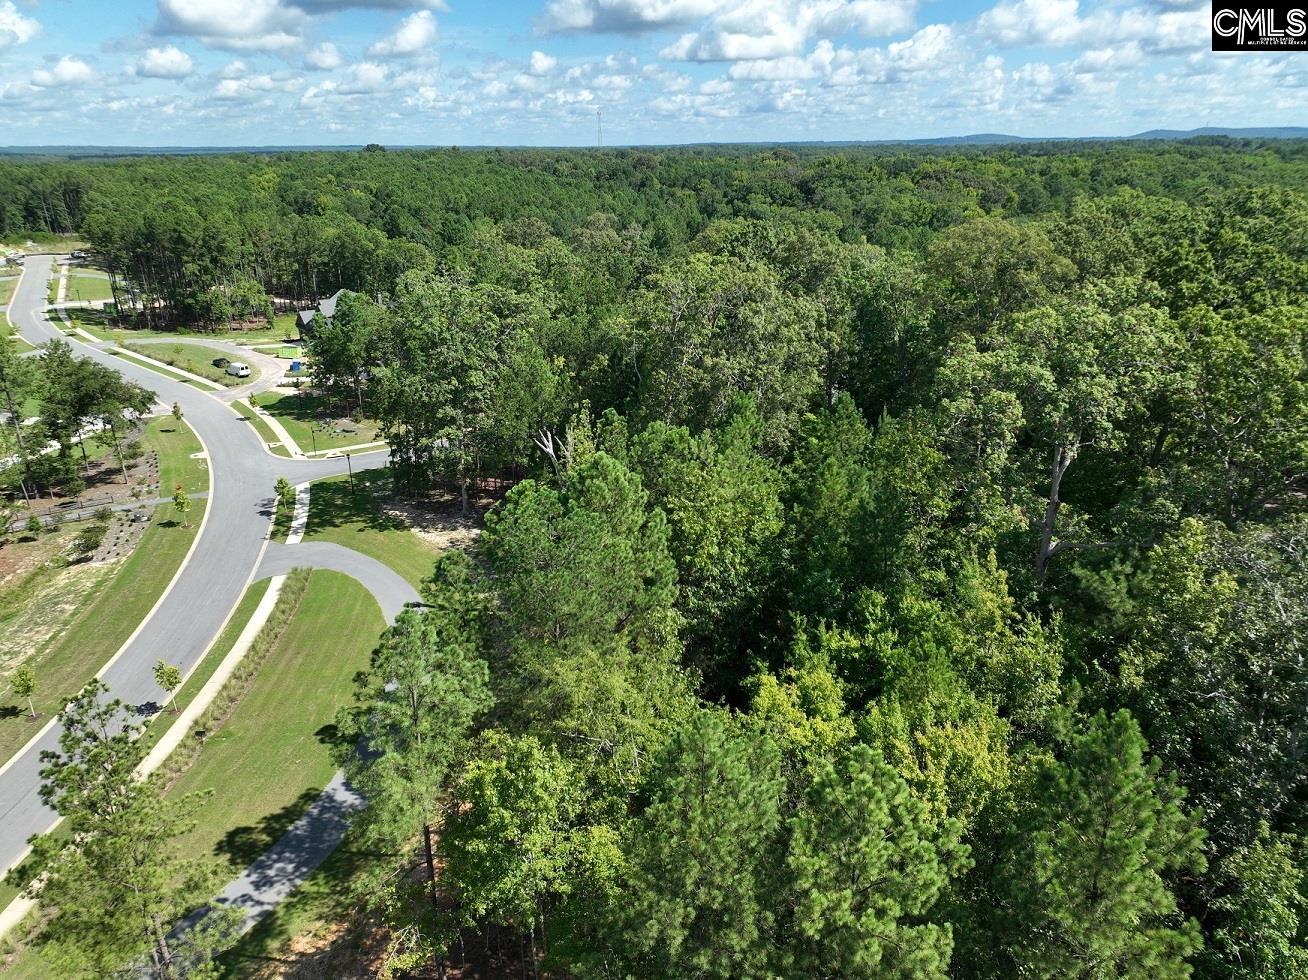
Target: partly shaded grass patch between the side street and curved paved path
[(355, 519)]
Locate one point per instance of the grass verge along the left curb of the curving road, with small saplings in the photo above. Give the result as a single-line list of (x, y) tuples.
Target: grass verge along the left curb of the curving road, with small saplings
[(111, 612)]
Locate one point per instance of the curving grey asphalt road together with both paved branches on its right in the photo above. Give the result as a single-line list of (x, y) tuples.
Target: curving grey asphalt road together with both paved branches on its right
[(231, 551)]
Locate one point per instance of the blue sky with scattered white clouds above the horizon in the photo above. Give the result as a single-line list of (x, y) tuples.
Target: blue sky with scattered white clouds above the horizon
[(261, 73)]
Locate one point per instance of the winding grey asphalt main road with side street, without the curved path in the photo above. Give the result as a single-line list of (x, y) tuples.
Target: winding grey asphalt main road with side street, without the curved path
[(227, 554)]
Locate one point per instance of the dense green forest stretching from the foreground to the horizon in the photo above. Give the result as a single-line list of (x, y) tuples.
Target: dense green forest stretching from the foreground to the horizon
[(904, 571)]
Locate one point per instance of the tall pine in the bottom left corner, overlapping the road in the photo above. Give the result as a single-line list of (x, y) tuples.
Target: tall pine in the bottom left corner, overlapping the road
[(114, 884)]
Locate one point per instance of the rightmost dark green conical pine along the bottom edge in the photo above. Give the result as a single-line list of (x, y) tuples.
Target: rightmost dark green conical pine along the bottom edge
[(1088, 884)]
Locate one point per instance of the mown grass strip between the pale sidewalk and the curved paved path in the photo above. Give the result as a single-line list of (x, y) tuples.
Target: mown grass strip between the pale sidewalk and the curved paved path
[(273, 757)]
